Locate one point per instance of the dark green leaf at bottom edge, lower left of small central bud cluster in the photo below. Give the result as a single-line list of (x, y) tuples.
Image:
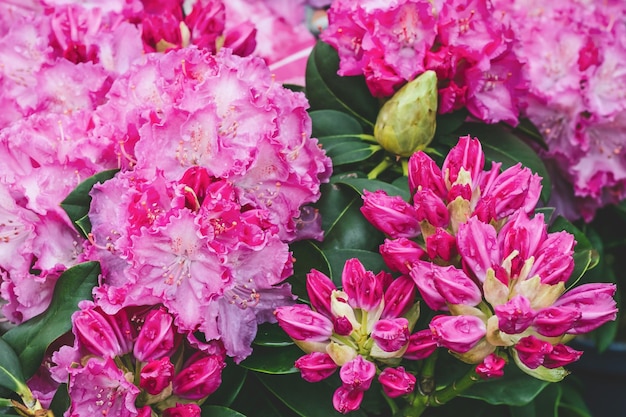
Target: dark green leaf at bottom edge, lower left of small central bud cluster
[(306, 399)]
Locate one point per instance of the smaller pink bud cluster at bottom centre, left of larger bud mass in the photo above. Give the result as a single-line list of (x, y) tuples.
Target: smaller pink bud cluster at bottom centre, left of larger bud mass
[(365, 329)]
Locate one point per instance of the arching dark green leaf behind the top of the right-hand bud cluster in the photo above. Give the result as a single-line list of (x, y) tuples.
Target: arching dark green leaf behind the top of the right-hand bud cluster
[(501, 145)]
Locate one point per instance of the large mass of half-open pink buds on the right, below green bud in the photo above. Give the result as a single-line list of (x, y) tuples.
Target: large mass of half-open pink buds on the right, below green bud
[(472, 248)]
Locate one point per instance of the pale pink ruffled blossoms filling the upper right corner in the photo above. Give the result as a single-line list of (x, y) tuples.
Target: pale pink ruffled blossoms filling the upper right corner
[(577, 95)]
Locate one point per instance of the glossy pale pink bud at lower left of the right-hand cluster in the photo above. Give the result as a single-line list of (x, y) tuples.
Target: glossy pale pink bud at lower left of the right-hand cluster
[(458, 333)]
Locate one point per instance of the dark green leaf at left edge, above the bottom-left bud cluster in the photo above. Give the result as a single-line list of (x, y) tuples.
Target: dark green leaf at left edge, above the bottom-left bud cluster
[(31, 338)]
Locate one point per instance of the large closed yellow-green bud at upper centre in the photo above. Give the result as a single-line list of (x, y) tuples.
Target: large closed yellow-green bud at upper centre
[(406, 123)]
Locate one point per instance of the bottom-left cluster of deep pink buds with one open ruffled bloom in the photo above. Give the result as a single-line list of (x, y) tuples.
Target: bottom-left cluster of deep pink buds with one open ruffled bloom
[(133, 362)]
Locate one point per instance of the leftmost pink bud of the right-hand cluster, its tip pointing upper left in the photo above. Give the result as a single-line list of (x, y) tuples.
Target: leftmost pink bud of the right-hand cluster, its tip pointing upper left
[(390, 214)]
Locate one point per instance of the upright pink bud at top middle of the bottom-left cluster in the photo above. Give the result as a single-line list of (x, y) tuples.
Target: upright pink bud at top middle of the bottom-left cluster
[(156, 338)]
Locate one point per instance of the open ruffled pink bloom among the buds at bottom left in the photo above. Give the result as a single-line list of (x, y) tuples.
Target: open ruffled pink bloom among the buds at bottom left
[(99, 387)]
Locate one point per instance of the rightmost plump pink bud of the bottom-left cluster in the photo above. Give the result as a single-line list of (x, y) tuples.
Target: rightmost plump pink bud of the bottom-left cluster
[(201, 376)]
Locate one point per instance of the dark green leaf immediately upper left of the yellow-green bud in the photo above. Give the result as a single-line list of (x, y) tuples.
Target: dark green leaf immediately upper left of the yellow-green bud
[(326, 90)]
